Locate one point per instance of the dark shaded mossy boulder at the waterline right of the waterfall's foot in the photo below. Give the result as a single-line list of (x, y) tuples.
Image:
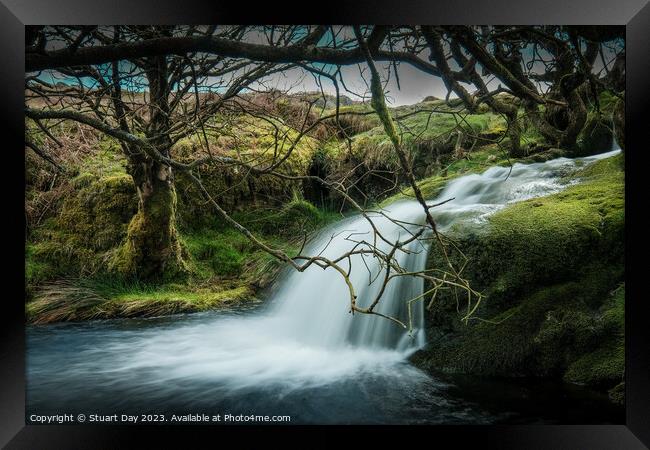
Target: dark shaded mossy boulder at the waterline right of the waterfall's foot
[(539, 336)]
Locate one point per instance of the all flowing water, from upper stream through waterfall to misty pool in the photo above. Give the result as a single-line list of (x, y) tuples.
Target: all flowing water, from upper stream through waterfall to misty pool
[(302, 354)]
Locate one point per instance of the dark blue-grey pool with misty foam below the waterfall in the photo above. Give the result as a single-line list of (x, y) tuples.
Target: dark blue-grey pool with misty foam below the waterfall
[(113, 367)]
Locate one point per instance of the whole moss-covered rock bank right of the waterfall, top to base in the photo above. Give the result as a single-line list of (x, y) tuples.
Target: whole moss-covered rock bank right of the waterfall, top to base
[(550, 269)]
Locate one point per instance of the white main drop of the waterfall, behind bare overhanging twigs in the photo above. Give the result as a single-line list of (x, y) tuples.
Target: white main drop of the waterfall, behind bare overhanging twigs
[(314, 304)]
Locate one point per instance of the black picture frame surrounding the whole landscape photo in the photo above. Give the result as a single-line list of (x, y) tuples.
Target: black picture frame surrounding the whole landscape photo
[(634, 14)]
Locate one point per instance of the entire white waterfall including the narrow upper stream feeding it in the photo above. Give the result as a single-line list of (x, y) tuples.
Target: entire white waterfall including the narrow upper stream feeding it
[(313, 306)]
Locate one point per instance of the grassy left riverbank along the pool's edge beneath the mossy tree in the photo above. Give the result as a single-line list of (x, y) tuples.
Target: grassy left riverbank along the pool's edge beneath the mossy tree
[(224, 269)]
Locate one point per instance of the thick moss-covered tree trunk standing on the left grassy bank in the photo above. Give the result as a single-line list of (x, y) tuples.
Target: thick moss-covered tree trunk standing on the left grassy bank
[(152, 248)]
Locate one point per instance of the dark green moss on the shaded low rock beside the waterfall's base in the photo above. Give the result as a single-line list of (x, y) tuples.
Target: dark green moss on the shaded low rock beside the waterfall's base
[(527, 339)]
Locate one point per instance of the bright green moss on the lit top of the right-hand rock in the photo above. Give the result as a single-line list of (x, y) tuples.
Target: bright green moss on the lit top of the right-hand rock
[(550, 239)]
